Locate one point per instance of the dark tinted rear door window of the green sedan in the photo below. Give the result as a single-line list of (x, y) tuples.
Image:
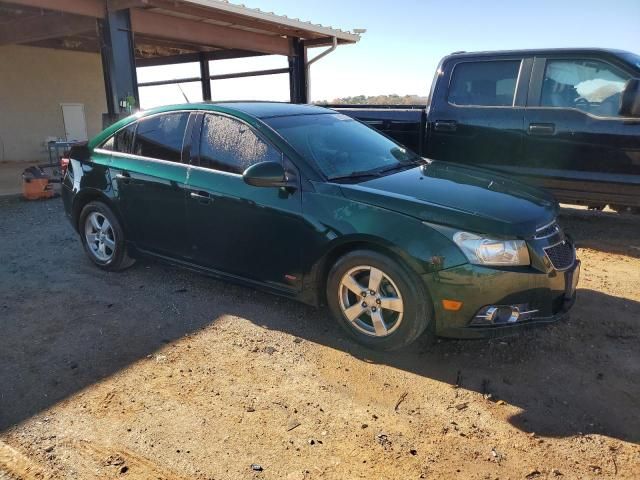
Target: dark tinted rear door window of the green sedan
[(161, 136)]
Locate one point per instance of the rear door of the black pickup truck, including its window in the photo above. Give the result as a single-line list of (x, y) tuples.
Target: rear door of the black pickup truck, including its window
[(477, 112)]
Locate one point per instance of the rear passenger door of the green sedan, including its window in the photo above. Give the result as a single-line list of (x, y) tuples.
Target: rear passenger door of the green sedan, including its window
[(150, 184)]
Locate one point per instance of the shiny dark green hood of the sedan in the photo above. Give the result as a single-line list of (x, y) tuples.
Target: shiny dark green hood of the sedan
[(468, 198)]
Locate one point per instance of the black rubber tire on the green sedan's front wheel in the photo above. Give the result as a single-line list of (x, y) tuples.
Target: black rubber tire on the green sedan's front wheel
[(417, 307)]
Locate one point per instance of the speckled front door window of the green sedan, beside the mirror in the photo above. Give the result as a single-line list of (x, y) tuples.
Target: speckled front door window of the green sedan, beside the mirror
[(231, 146)]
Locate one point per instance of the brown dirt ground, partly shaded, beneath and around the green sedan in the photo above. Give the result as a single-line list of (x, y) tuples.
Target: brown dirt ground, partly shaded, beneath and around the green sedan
[(159, 373)]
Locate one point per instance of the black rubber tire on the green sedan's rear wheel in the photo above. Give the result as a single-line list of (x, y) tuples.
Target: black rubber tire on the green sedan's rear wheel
[(118, 257)]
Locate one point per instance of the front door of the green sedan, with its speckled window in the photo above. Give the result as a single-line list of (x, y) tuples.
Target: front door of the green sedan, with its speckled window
[(250, 232)]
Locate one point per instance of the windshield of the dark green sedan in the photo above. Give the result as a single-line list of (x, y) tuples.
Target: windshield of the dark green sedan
[(342, 147)]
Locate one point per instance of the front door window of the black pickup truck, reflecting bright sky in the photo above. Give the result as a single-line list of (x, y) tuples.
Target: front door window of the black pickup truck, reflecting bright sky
[(588, 85)]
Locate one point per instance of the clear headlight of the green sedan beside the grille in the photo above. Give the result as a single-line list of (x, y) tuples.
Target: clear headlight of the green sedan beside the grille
[(492, 251)]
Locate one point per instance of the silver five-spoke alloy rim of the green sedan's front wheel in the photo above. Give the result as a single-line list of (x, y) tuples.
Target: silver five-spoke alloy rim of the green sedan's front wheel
[(371, 301)]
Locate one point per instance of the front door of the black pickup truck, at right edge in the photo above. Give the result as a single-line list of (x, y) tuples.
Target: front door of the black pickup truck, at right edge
[(577, 144)]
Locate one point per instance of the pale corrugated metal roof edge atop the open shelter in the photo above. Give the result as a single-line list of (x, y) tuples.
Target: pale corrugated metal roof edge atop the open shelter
[(294, 23)]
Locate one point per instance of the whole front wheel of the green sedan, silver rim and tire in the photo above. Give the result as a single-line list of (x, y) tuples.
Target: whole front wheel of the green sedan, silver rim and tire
[(381, 304)]
